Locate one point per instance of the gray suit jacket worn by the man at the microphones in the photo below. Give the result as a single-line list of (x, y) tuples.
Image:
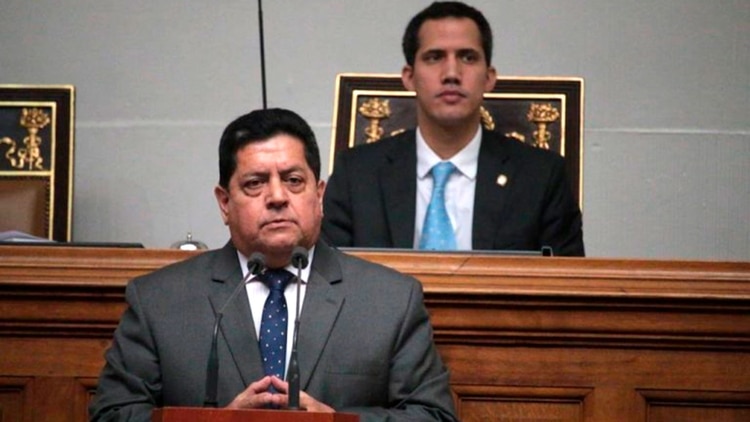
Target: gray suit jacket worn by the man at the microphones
[(365, 341)]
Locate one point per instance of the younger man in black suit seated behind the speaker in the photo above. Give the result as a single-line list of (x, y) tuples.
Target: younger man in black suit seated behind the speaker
[(498, 194)]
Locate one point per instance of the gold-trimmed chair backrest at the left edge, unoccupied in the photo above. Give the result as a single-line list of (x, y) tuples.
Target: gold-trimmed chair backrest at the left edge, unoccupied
[(36, 160)]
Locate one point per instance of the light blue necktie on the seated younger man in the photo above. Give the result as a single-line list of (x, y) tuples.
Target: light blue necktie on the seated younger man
[(437, 231)]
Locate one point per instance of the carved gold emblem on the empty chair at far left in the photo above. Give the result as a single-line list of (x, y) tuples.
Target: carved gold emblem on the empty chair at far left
[(30, 155)]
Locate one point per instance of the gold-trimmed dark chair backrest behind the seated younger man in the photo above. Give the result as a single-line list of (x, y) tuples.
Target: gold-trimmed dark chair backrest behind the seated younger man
[(546, 112)]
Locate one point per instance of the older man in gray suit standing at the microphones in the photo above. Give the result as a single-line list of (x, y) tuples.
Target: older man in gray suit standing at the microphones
[(365, 340)]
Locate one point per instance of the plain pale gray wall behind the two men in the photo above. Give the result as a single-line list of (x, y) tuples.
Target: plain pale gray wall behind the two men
[(667, 103)]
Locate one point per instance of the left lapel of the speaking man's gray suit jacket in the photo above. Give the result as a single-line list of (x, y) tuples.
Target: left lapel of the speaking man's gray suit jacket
[(236, 325)]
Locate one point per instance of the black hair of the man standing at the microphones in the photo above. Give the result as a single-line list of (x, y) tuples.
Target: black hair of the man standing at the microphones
[(260, 125)]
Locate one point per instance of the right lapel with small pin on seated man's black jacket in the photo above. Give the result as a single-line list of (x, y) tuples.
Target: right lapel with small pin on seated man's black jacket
[(490, 196)]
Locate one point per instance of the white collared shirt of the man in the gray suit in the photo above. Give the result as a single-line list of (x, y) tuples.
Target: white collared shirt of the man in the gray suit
[(257, 292)]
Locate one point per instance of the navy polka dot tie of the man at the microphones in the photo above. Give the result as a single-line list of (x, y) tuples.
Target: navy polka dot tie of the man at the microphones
[(273, 326)]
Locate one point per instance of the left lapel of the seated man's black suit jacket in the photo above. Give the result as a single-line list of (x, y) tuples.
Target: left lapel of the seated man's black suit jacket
[(399, 188)]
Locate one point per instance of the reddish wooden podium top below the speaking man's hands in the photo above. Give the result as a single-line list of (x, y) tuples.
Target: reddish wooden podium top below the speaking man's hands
[(200, 414)]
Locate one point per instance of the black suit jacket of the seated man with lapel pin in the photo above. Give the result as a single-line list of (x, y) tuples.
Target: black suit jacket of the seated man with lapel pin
[(370, 200)]
